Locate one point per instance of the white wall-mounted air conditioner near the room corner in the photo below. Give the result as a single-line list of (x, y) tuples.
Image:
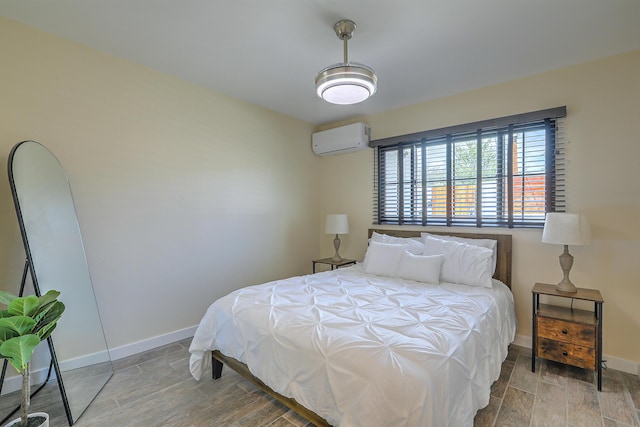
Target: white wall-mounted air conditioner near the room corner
[(344, 139)]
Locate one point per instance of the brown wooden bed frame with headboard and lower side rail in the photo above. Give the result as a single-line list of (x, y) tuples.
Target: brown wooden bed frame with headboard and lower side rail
[(503, 273)]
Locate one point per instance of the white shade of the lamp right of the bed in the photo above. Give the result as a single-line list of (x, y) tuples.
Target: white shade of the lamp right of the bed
[(566, 229)]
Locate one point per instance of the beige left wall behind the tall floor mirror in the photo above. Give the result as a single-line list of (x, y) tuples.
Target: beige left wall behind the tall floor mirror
[(182, 194)]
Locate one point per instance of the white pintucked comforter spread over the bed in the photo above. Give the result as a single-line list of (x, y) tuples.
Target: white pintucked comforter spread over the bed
[(365, 350)]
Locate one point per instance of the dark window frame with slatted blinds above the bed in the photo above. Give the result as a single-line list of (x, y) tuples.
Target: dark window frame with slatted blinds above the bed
[(527, 213)]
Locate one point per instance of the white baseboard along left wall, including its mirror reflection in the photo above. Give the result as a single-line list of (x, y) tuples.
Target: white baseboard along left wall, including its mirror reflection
[(14, 382)]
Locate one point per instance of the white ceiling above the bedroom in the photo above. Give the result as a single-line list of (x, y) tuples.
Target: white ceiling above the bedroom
[(269, 52)]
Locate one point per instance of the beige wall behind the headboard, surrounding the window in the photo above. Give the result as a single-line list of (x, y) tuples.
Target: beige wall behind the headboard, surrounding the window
[(603, 174)]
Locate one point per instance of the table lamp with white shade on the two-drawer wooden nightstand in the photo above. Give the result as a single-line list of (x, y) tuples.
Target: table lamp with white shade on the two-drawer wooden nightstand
[(566, 229)]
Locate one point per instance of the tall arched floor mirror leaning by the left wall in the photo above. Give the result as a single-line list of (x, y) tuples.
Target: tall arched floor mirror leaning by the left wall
[(56, 258)]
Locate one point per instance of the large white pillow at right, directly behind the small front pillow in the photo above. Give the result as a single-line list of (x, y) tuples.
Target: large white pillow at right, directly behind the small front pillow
[(464, 264)]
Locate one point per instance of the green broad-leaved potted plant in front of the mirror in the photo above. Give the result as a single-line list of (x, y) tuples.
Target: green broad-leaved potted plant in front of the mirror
[(25, 323)]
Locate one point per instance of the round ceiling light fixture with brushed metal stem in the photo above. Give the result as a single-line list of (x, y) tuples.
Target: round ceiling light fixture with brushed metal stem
[(346, 83)]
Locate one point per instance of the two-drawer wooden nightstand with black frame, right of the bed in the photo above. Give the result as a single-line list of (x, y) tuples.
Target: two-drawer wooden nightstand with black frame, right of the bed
[(567, 335)]
